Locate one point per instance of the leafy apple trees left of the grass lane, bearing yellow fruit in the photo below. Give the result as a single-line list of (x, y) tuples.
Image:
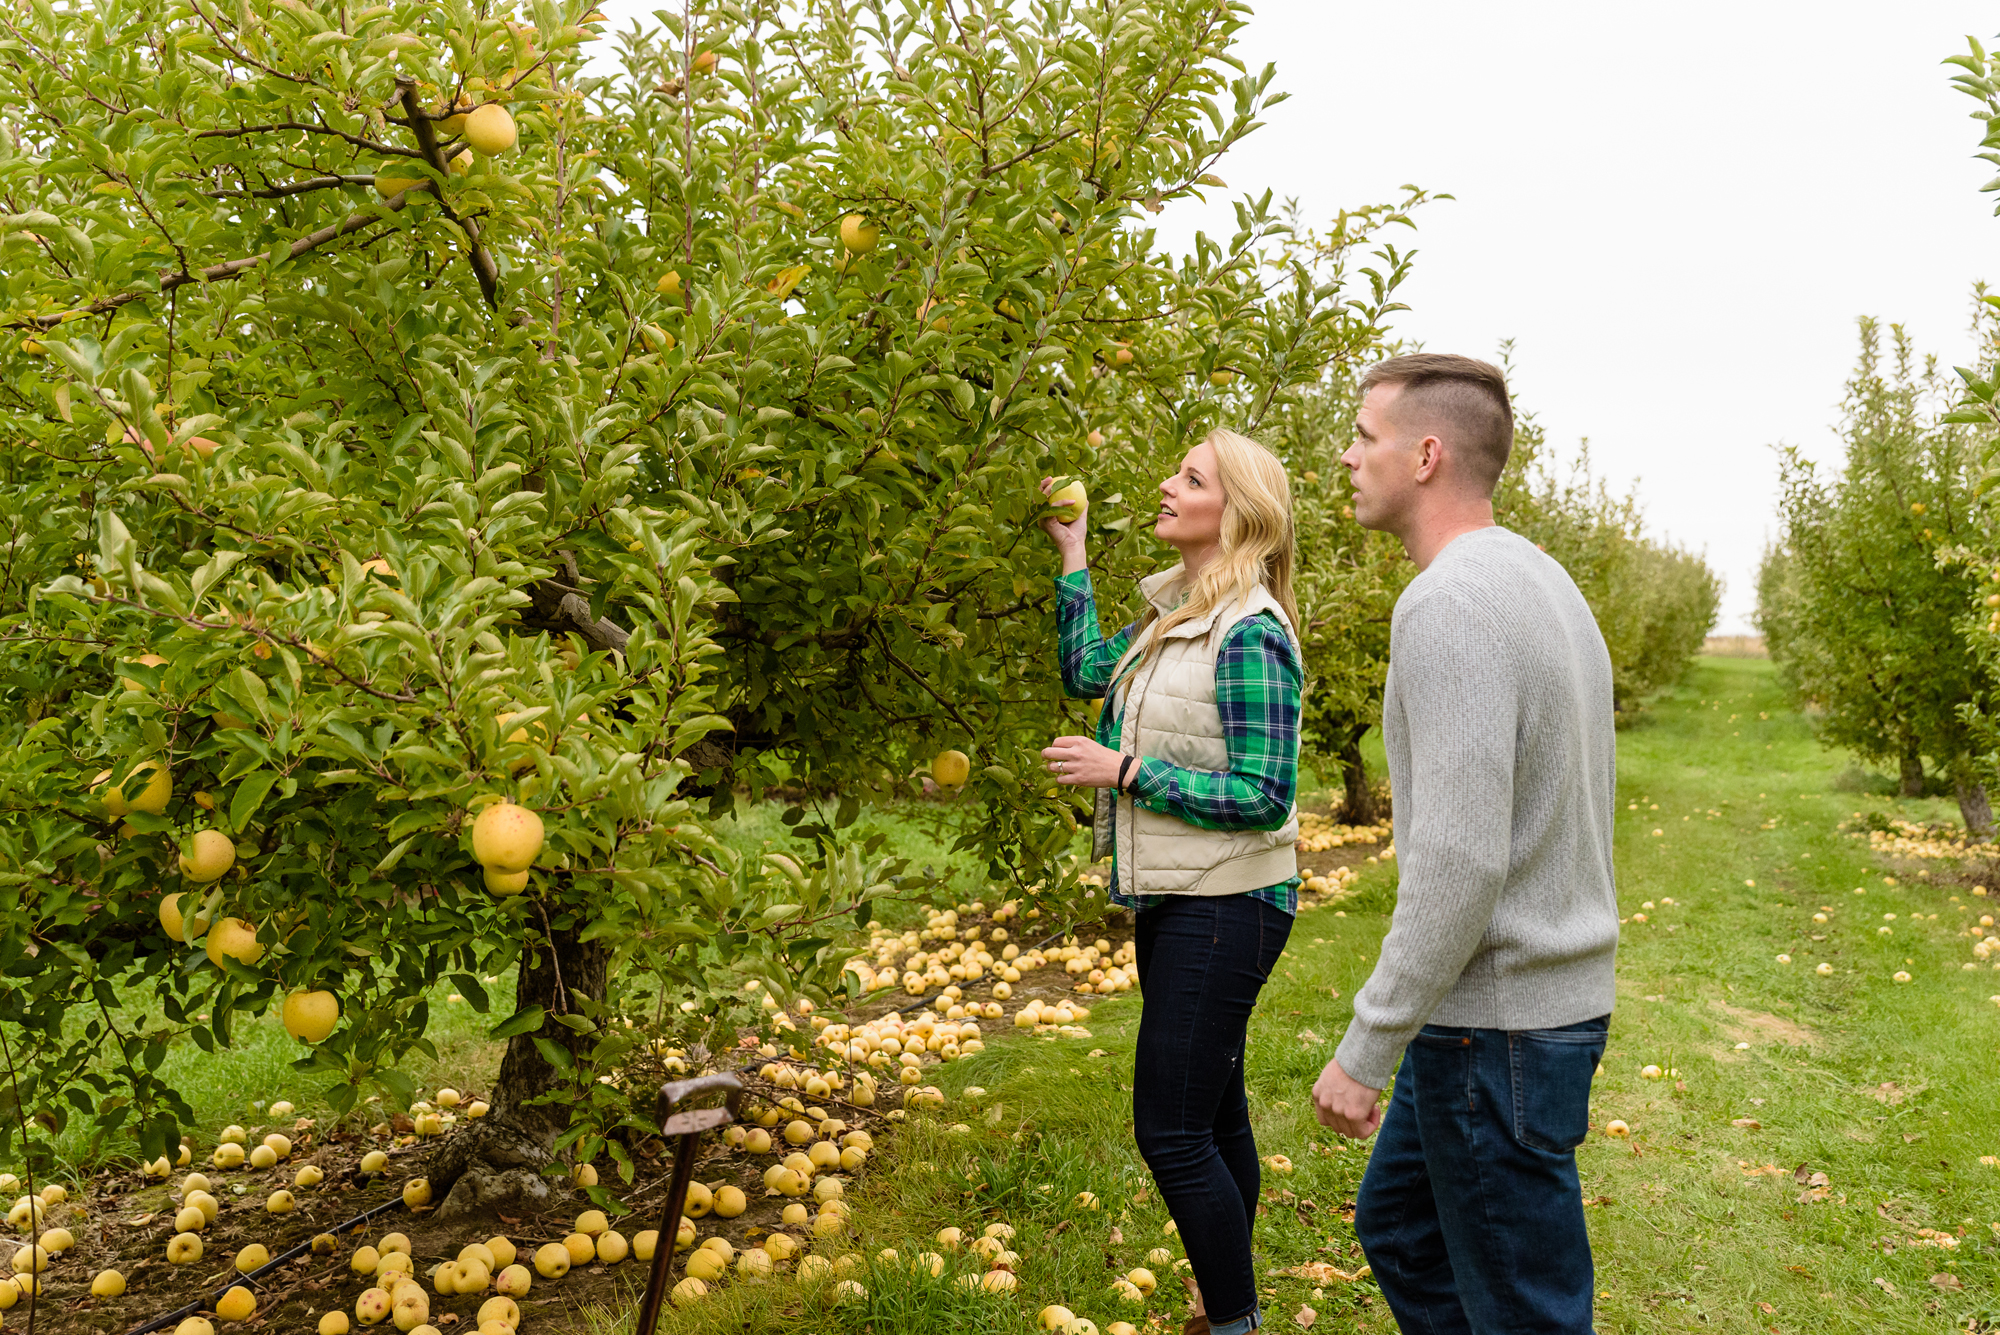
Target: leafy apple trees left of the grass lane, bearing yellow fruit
[(661, 443)]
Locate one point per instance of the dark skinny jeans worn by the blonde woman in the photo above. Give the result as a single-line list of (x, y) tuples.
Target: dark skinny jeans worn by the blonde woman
[(1201, 966)]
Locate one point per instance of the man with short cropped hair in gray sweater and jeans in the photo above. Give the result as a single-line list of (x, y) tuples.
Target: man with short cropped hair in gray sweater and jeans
[(1495, 984)]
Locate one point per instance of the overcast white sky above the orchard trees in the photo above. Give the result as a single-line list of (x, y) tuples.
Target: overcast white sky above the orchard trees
[(1675, 211)]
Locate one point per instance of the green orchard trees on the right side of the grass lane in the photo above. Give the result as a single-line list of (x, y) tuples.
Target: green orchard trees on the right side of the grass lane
[(1881, 597)]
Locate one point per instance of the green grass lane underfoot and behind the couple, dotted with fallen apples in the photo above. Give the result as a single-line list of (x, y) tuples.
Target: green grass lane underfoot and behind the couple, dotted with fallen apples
[(1685, 1238)]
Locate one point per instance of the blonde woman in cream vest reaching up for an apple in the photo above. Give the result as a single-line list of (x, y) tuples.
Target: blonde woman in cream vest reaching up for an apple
[(1201, 748)]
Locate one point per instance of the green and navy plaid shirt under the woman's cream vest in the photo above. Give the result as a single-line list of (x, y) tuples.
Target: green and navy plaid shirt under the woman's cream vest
[(1257, 692)]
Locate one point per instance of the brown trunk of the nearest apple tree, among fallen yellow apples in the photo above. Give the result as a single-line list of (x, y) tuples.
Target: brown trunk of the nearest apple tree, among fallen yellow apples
[(497, 1164)]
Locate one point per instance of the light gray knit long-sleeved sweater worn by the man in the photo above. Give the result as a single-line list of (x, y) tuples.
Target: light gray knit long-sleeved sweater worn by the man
[(1501, 756)]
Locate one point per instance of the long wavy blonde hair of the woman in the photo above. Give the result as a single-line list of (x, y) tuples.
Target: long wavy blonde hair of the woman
[(1257, 539)]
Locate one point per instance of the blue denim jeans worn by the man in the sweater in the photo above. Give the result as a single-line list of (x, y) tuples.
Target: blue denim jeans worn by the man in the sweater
[(1471, 1210)]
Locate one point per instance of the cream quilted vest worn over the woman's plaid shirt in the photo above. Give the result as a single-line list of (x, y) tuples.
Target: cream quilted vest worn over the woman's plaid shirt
[(1171, 714)]
